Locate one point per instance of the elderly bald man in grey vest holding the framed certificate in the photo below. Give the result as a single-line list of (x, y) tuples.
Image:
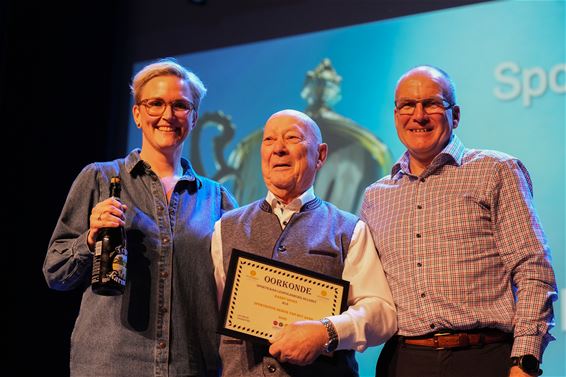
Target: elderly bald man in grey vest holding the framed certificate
[(292, 225)]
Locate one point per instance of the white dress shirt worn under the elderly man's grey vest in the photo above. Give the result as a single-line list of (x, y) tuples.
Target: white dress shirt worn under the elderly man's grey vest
[(371, 318)]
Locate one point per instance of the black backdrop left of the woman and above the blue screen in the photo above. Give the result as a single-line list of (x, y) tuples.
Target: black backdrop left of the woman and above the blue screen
[(64, 103)]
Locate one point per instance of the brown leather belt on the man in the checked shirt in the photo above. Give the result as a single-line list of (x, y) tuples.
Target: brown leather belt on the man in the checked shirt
[(444, 340)]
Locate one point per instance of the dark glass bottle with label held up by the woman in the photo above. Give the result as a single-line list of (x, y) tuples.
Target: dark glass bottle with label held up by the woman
[(110, 255)]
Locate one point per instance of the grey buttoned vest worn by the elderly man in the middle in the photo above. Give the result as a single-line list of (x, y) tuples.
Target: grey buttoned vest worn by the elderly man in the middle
[(316, 238)]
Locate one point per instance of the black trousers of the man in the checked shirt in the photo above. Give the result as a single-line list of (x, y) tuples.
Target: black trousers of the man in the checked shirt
[(401, 360)]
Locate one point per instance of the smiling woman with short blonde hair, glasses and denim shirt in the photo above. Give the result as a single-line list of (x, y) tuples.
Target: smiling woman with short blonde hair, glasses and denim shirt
[(165, 322)]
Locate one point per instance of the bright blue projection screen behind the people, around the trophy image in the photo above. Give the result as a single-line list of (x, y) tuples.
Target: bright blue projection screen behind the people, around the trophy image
[(507, 60)]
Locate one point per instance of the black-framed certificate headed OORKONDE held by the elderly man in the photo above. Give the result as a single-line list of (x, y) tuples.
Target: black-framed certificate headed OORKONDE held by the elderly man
[(262, 296)]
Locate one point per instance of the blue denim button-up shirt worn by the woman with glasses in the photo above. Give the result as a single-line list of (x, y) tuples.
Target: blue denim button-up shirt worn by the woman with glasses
[(165, 322)]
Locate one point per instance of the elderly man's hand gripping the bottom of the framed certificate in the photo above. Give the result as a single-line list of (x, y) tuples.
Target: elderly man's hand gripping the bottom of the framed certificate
[(299, 343)]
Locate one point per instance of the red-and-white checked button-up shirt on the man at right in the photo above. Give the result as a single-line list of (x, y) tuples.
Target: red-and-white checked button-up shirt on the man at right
[(462, 247)]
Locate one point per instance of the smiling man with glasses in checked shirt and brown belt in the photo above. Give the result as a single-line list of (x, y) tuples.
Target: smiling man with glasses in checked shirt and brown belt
[(461, 245)]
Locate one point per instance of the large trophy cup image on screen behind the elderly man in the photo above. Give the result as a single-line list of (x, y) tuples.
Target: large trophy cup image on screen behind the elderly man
[(356, 156)]
